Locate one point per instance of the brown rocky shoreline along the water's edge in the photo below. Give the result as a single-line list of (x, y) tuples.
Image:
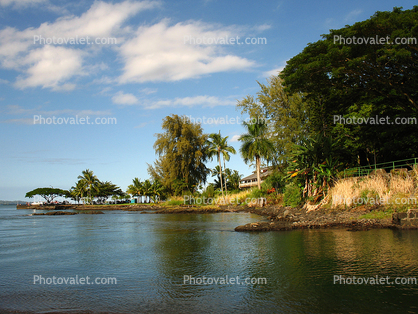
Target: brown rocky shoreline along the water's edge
[(280, 218)]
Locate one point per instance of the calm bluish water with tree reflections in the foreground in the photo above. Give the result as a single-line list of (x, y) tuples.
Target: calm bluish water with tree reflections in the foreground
[(149, 255)]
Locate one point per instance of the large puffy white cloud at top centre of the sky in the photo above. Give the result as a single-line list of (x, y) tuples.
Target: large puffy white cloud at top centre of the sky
[(162, 53)]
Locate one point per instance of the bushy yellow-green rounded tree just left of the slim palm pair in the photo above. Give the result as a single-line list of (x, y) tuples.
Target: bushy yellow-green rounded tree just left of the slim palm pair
[(182, 154)]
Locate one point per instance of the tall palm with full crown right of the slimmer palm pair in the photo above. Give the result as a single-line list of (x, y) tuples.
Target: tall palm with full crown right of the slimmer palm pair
[(256, 145)]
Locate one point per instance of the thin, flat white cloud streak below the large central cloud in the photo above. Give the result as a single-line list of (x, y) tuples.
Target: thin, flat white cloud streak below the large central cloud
[(204, 101)]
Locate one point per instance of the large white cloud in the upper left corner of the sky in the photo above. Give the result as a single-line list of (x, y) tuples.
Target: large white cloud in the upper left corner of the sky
[(50, 66)]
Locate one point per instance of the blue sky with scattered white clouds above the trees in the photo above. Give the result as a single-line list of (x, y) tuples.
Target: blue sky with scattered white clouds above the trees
[(86, 84)]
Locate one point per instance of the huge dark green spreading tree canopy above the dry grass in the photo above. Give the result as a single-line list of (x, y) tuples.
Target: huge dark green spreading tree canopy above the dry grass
[(341, 79)]
